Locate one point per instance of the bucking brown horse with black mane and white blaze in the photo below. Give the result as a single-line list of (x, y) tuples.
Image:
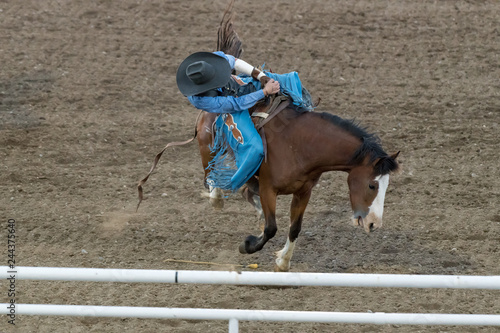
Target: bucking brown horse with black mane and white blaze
[(300, 147)]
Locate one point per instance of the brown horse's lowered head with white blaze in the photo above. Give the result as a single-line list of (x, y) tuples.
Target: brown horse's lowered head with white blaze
[(367, 186)]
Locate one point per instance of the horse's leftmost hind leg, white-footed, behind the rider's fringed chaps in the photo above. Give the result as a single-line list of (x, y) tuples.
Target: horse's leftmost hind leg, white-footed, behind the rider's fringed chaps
[(205, 138)]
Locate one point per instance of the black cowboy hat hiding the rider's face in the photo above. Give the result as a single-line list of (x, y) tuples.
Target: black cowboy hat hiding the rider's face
[(202, 71)]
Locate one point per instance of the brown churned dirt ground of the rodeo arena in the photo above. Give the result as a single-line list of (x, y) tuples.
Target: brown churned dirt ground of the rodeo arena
[(88, 97)]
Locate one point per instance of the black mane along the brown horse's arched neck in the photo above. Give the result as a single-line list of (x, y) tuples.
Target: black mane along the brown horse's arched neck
[(370, 145)]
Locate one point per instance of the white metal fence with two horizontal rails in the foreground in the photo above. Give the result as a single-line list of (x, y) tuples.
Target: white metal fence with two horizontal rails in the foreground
[(254, 278)]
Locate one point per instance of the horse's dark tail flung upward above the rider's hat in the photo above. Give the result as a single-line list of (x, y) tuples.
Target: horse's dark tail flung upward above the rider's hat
[(228, 40)]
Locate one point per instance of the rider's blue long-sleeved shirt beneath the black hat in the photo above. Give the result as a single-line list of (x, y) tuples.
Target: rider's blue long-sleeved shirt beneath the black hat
[(221, 104)]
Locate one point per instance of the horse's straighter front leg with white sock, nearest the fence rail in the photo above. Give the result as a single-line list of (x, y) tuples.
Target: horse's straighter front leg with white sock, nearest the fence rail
[(298, 207)]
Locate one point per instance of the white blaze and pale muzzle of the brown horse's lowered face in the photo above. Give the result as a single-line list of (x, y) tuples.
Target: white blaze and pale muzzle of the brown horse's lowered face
[(370, 217)]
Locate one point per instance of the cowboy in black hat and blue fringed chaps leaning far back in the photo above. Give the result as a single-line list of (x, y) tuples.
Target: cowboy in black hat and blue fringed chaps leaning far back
[(205, 78)]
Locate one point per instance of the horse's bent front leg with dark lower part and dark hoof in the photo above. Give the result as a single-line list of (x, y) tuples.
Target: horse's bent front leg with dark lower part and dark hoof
[(256, 243)]
